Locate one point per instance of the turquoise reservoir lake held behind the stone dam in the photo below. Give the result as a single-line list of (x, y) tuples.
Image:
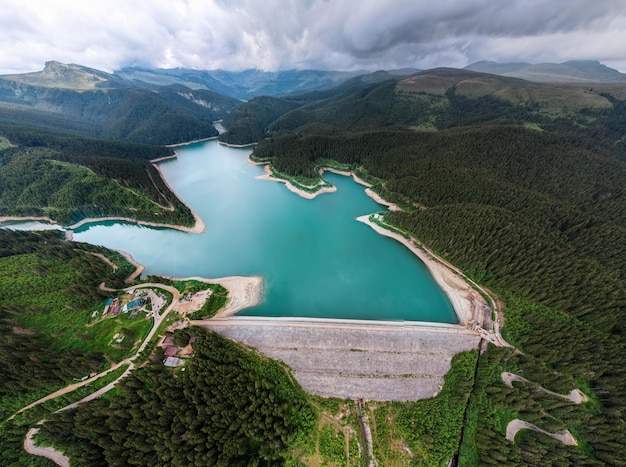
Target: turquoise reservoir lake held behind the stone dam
[(315, 258)]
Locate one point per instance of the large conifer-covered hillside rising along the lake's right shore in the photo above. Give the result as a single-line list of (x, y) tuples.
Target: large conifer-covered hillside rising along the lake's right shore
[(529, 200)]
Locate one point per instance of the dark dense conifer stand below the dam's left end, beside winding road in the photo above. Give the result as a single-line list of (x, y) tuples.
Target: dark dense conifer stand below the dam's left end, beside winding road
[(231, 407)]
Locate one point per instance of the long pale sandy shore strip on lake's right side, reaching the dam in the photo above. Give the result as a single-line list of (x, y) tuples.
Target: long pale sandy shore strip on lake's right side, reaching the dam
[(465, 300)]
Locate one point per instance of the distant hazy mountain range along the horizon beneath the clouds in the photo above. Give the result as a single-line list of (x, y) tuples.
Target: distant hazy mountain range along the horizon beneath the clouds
[(166, 106)]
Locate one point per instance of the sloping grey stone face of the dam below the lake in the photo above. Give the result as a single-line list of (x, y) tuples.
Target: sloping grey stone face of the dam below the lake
[(331, 359)]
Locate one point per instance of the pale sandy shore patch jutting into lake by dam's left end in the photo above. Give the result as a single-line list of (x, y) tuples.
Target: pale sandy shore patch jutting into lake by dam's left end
[(243, 292)]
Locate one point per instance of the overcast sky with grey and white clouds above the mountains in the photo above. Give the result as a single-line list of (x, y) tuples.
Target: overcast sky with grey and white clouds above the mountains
[(308, 34)]
